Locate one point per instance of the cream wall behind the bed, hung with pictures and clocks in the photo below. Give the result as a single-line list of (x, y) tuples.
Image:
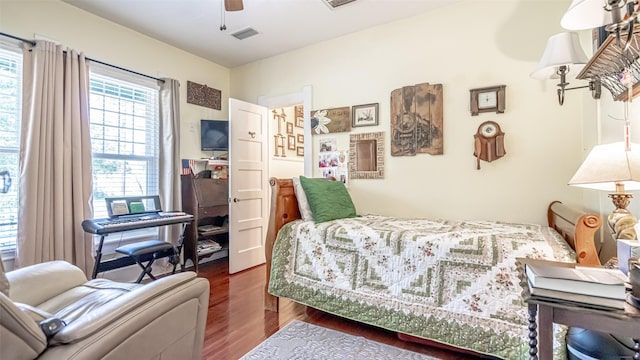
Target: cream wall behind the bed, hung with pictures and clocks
[(469, 45)]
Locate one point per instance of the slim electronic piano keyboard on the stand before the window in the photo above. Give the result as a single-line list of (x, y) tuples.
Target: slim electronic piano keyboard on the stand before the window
[(124, 223)]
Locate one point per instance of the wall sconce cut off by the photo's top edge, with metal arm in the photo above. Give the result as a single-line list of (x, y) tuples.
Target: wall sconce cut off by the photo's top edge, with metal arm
[(616, 16)]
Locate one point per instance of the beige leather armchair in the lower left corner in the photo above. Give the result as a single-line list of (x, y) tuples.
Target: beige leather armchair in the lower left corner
[(104, 319)]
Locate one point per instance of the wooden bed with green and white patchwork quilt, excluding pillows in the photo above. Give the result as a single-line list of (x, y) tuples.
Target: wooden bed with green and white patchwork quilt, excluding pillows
[(448, 283)]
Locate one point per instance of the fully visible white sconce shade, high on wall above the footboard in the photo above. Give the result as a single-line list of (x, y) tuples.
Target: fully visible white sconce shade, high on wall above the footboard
[(562, 49)]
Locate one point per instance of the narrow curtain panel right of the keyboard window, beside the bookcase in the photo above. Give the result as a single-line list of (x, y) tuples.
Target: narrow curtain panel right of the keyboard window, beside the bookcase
[(169, 181)]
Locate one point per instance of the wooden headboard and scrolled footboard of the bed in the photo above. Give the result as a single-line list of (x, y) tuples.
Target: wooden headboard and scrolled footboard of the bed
[(577, 228)]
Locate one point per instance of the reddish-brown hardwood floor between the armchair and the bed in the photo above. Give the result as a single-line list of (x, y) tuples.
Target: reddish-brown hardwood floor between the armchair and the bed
[(237, 321)]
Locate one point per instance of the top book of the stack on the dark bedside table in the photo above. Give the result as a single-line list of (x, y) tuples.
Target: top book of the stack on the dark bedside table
[(571, 278)]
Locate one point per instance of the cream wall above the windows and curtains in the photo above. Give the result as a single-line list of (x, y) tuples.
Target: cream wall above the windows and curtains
[(105, 41)]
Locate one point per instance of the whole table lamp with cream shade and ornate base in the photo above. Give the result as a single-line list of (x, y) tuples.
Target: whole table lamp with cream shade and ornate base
[(613, 167)]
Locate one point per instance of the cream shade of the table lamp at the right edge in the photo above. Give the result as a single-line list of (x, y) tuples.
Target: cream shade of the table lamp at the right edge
[(608, 165)]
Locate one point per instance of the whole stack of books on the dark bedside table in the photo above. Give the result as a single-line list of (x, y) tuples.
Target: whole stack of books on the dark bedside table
[(557, 281)]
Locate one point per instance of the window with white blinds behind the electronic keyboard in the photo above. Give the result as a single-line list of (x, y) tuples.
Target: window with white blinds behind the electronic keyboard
[(124, 136)]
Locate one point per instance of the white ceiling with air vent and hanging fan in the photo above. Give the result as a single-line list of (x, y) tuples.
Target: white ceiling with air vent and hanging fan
[(283, 25)]
